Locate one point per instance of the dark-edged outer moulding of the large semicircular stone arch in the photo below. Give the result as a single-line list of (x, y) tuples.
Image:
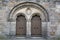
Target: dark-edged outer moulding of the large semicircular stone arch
[(25, 4)]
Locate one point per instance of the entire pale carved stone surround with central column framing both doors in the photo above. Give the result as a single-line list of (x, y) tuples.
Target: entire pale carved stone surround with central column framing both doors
[(29, 8)]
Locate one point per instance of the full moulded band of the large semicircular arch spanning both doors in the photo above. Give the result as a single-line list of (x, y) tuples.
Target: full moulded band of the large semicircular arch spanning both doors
[(28, 4)]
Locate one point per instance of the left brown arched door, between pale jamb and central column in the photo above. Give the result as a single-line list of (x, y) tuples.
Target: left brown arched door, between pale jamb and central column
[(20, 25)]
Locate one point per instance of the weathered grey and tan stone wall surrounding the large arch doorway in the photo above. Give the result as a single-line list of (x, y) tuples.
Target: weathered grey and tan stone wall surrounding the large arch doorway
[(53, 26)]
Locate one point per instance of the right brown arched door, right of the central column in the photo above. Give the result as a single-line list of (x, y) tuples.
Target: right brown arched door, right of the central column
[(36, 29)]
